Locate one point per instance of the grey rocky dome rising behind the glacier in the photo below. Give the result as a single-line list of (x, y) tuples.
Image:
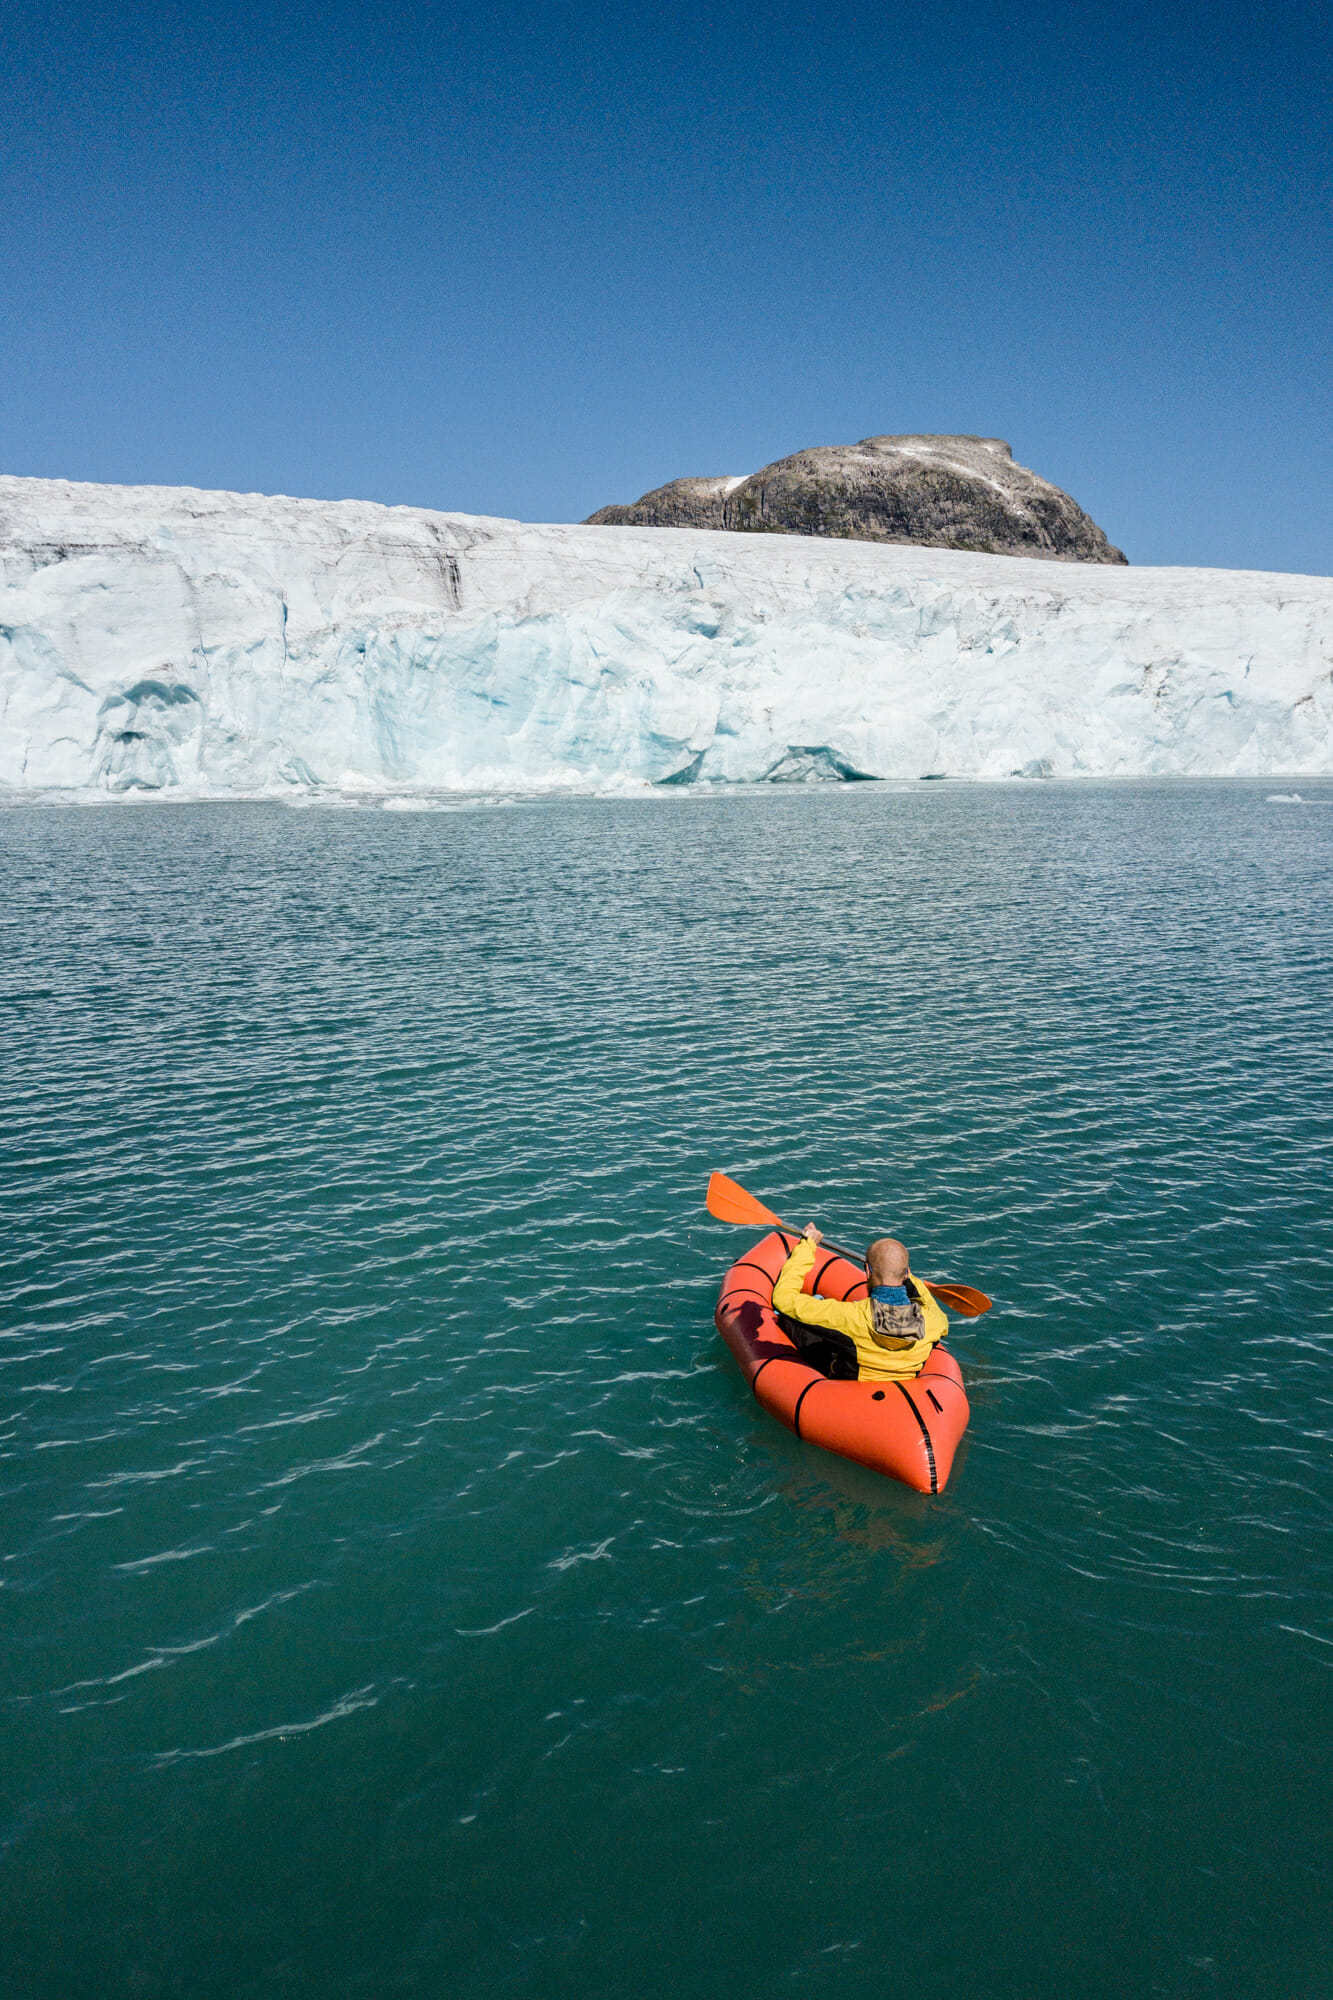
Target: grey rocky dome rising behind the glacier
[(938, 493)]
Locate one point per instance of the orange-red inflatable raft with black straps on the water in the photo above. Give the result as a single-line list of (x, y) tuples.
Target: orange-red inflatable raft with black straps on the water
[(906, 1429)]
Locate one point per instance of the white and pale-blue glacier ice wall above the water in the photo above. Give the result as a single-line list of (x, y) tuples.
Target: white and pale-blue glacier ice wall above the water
[(193, 643)]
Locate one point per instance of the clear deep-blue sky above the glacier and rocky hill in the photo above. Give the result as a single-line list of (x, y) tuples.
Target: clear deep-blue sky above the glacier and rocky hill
[(525, 259)]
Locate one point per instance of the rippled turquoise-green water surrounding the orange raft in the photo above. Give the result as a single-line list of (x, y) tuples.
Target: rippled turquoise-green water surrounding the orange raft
[(401, 1591)]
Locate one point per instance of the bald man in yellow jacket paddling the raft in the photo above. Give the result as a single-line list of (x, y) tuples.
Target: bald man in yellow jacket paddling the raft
[(892, 1331)]
